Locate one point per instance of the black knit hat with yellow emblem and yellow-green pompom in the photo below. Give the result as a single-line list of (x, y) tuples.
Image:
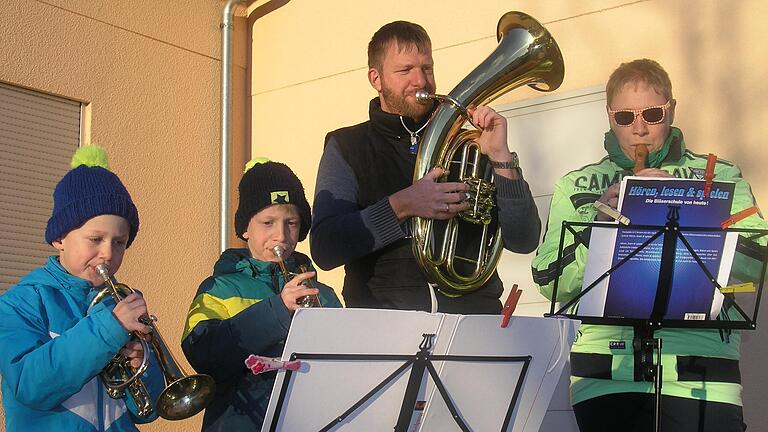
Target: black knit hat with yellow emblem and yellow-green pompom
[(266, 183)]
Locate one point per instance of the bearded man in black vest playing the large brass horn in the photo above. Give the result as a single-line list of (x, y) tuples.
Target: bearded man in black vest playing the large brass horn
[(364, 196)]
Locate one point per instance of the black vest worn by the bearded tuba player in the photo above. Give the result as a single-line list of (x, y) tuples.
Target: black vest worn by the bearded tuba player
[(378, 151)]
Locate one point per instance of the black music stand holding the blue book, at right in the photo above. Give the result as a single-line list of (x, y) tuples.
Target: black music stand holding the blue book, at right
[(645, 344)]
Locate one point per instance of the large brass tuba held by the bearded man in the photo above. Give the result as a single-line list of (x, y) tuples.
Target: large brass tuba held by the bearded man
[(461, 254)]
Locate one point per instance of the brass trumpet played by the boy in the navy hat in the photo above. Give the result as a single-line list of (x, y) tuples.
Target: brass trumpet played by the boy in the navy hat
[(183, 396)]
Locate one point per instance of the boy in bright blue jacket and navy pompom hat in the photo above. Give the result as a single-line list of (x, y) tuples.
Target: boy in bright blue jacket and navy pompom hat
[(53, 344)]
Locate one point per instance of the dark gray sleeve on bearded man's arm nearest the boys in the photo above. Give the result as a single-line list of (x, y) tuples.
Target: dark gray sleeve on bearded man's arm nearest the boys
[(341, 230)]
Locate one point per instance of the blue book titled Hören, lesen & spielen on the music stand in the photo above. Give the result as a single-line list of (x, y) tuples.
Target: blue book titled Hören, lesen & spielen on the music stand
[(629, 292)]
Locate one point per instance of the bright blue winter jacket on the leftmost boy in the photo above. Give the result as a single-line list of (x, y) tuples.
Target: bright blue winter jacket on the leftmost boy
[(53, 349)]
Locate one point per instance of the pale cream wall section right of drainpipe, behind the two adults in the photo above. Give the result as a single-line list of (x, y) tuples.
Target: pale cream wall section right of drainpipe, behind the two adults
[(309, 76)]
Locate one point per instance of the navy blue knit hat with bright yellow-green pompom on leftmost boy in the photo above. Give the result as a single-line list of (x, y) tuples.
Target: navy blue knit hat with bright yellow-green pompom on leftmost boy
[(87, 191)]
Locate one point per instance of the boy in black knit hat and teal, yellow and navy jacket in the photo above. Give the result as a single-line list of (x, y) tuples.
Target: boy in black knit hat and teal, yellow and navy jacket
[(246, 306)]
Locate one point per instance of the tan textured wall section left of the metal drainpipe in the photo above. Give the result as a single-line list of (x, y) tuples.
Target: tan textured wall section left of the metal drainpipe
[(150, 72)]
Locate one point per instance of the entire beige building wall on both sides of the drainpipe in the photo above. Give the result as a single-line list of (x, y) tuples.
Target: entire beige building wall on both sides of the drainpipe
[(150, 72)]
